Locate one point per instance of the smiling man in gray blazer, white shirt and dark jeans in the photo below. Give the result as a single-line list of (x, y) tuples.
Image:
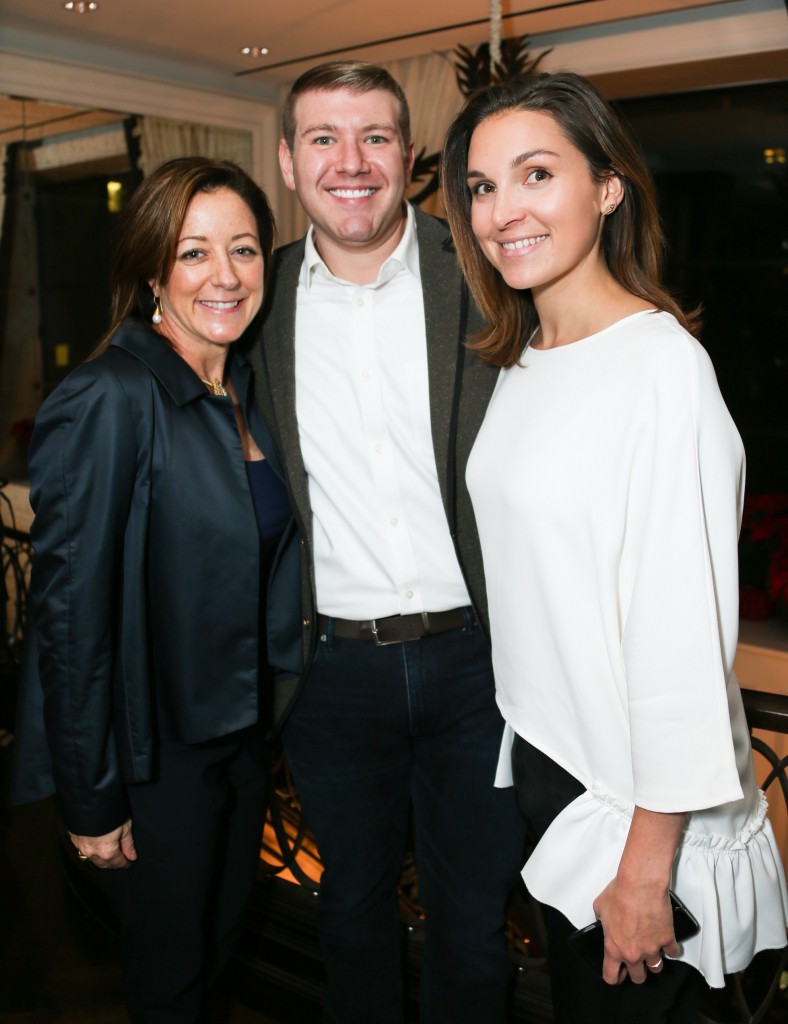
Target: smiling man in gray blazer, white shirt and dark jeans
[(365, 377)]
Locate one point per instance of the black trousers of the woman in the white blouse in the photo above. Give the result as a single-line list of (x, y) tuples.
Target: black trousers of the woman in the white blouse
[(580, 996)]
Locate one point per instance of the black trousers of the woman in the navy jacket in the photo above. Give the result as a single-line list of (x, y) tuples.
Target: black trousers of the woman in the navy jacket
[(198, 831)]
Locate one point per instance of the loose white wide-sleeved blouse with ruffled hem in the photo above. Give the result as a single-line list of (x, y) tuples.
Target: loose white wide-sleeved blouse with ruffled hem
[(607, 482)]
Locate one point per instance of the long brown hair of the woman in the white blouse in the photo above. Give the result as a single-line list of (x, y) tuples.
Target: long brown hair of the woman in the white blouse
[(632, 239)]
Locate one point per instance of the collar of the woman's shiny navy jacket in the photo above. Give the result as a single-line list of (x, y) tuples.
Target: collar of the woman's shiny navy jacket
[(179, 379)]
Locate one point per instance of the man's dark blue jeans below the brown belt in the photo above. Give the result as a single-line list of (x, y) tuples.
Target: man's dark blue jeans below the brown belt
[(376, 733)]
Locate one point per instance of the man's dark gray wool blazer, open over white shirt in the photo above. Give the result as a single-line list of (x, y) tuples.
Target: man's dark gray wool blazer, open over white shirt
[(461, 387)]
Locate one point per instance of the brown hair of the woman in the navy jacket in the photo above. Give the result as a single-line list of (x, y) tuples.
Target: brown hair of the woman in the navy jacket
[(148, 231)]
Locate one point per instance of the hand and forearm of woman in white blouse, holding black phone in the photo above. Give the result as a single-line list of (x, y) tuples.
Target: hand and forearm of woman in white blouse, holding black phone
[(635, 908)]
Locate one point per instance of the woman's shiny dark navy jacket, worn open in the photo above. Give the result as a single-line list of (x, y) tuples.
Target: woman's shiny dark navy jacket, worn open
[(146, 583)]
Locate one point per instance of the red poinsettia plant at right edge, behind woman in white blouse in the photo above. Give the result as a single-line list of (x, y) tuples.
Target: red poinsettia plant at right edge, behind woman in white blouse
[(764, 557)]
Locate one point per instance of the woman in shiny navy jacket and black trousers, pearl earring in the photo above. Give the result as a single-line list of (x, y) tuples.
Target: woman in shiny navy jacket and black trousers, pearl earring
[(166, 558)]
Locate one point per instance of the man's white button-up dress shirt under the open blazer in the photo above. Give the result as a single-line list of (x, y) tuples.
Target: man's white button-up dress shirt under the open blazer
[(382, 544)]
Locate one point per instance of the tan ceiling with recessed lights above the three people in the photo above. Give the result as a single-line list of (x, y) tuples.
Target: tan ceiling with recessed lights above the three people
[(207, 35)]
